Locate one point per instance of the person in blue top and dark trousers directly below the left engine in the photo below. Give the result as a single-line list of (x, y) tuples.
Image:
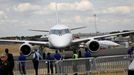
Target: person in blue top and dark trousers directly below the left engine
[(22, 60)]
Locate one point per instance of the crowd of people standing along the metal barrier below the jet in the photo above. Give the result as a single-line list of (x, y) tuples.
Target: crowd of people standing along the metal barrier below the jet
[(7, 61)]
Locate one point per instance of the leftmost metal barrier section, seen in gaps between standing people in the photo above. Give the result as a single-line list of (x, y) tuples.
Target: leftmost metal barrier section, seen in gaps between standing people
[(42, 69)]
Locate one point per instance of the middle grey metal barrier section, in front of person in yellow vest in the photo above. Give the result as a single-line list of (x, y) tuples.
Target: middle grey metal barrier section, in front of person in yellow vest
[(75, 66)]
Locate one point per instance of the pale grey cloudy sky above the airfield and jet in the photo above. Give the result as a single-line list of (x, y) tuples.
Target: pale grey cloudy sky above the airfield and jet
[(18, 16)]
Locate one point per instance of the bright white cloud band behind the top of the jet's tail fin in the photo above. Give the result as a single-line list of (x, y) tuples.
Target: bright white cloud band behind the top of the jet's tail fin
[(83, 5)]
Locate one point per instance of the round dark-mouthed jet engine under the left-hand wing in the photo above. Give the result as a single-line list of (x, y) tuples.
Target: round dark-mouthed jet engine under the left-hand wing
[(26, 49)]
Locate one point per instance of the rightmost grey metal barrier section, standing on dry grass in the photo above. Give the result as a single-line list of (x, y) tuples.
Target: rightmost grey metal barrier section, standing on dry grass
[(109, 63)]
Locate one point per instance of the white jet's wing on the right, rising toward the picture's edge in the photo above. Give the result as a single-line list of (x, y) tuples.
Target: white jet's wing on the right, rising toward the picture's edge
[(97, 37)]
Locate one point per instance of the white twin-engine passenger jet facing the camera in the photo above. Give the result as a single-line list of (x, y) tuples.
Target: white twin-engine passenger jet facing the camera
[(60, 37)]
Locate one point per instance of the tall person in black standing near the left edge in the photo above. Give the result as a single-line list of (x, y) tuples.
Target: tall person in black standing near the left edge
[(10, 61)]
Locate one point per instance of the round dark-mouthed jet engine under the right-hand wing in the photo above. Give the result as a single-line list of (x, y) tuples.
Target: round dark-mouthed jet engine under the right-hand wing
[(93, 45)]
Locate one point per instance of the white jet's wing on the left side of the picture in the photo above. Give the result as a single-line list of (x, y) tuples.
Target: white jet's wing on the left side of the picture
[(24, 41)]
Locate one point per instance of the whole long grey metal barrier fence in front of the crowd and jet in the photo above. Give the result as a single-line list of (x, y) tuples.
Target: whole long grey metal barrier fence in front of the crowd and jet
[(88, 66)]
